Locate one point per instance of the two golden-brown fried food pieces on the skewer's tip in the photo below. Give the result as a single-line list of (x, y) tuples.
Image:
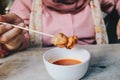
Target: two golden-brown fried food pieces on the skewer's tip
[(62, 40)]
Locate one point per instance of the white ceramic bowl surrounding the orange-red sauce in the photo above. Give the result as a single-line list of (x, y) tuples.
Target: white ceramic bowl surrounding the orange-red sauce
[(71, 72)]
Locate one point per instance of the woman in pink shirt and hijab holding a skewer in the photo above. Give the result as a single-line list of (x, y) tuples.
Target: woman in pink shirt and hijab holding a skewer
[(71, 17)]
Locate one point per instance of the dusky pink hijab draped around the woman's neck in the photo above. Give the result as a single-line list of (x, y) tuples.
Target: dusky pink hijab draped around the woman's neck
[(66, 6)]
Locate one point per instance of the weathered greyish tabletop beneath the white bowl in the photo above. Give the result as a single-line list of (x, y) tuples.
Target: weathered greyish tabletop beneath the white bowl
[(28, 64)]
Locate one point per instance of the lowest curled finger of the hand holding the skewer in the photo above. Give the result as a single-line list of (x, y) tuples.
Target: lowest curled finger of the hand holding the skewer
[(15, 42)]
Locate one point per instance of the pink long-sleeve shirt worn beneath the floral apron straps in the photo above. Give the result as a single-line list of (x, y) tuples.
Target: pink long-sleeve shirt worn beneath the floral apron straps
[(80, 24)]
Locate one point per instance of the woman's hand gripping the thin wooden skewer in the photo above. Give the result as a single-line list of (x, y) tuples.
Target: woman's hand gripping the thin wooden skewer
[(11, 37)]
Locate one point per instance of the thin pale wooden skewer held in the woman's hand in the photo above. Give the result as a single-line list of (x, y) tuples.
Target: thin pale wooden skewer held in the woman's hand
[(28, 29)]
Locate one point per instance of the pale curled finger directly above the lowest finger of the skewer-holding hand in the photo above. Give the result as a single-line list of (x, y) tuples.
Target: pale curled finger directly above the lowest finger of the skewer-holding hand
[(7, 36)]
